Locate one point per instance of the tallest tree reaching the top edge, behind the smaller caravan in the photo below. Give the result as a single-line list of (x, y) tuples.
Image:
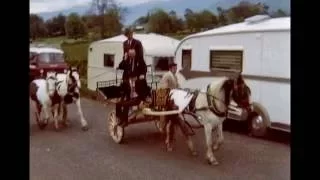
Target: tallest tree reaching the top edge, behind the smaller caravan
[(110, 14)]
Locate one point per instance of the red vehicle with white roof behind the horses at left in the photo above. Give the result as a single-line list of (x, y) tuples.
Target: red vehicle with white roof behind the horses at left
[(45, 59)]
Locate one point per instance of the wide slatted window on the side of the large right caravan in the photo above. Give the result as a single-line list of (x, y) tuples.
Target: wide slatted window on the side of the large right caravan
[(230, 60)]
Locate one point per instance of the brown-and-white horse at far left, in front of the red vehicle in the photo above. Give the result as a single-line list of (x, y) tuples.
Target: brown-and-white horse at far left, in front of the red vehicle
[(44, 99)]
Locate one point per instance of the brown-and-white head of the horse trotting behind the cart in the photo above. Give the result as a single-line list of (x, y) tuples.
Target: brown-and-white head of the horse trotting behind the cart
[(73, 79)]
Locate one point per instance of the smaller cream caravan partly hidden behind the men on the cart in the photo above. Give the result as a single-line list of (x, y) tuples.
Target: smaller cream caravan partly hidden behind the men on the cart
[(104, 56)]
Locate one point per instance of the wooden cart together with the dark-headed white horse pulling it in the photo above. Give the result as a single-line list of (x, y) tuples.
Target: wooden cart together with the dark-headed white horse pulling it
[(209, 107)]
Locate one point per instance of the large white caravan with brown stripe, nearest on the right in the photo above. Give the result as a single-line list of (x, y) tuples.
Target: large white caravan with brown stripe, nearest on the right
[(259, 48)]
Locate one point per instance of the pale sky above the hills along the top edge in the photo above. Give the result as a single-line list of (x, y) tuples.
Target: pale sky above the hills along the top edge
[(40, 6)]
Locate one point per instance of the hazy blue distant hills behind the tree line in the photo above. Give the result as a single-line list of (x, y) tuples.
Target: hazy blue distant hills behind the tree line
[(179, 6)]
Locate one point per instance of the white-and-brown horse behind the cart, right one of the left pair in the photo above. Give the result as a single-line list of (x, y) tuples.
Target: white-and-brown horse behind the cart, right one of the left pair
[(68, 88)]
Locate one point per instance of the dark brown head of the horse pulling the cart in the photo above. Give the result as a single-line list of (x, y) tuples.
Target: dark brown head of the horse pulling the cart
[(237, 89)]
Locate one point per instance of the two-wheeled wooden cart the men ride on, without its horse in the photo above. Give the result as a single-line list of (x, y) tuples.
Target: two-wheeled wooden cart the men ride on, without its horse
[(156, 105)]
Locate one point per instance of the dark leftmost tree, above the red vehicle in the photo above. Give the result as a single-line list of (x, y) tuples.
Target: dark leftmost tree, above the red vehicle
[(37, 27)]
